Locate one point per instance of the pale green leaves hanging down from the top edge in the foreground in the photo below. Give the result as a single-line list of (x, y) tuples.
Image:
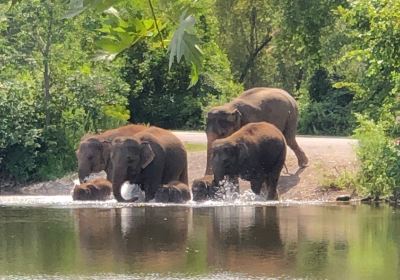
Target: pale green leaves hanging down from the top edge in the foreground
[(118, 34)]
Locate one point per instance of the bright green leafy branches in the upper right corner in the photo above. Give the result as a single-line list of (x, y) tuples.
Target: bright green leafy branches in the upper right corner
[(374, 29)]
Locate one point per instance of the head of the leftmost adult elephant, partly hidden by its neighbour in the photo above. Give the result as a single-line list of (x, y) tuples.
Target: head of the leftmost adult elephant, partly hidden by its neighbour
[(93, 156)]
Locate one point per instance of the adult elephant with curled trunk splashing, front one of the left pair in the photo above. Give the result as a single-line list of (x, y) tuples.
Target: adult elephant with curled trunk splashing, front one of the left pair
[(150, 158)]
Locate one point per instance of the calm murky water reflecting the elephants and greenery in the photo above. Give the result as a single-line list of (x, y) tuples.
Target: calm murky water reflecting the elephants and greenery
[(220, 242)]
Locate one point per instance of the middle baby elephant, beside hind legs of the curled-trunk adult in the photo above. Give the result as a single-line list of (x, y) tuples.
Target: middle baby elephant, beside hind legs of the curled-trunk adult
[(174, 192)]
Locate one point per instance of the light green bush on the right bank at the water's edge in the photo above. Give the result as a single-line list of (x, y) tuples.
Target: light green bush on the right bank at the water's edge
[(379, 157)]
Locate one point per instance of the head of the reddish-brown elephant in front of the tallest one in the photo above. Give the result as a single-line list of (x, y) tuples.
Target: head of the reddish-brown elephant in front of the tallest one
[(227, 158)]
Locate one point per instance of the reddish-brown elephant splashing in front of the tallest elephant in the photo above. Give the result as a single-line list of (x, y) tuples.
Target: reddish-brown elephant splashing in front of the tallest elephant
[(255, 153)]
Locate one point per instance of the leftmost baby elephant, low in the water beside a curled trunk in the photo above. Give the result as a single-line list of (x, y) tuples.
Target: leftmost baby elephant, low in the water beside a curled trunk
[(95, 189)]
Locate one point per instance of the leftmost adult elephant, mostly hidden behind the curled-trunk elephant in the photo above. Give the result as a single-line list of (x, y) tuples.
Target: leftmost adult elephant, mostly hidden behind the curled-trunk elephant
[(93, 153)]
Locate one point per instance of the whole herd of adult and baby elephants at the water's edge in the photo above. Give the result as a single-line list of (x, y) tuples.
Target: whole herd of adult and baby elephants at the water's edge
[(246, 138)]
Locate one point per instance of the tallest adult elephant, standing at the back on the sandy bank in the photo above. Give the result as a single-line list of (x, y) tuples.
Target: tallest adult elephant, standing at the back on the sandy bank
[(271, 105)]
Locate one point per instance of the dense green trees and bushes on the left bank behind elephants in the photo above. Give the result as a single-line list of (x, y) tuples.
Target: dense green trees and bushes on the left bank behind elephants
[(39, 132)]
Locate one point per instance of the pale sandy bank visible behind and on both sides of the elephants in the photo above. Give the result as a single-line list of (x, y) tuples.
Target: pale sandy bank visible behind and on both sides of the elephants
[(329, 157)]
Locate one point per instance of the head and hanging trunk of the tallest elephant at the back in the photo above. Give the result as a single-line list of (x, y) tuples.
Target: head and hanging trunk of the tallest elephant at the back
[(221, 122)]
